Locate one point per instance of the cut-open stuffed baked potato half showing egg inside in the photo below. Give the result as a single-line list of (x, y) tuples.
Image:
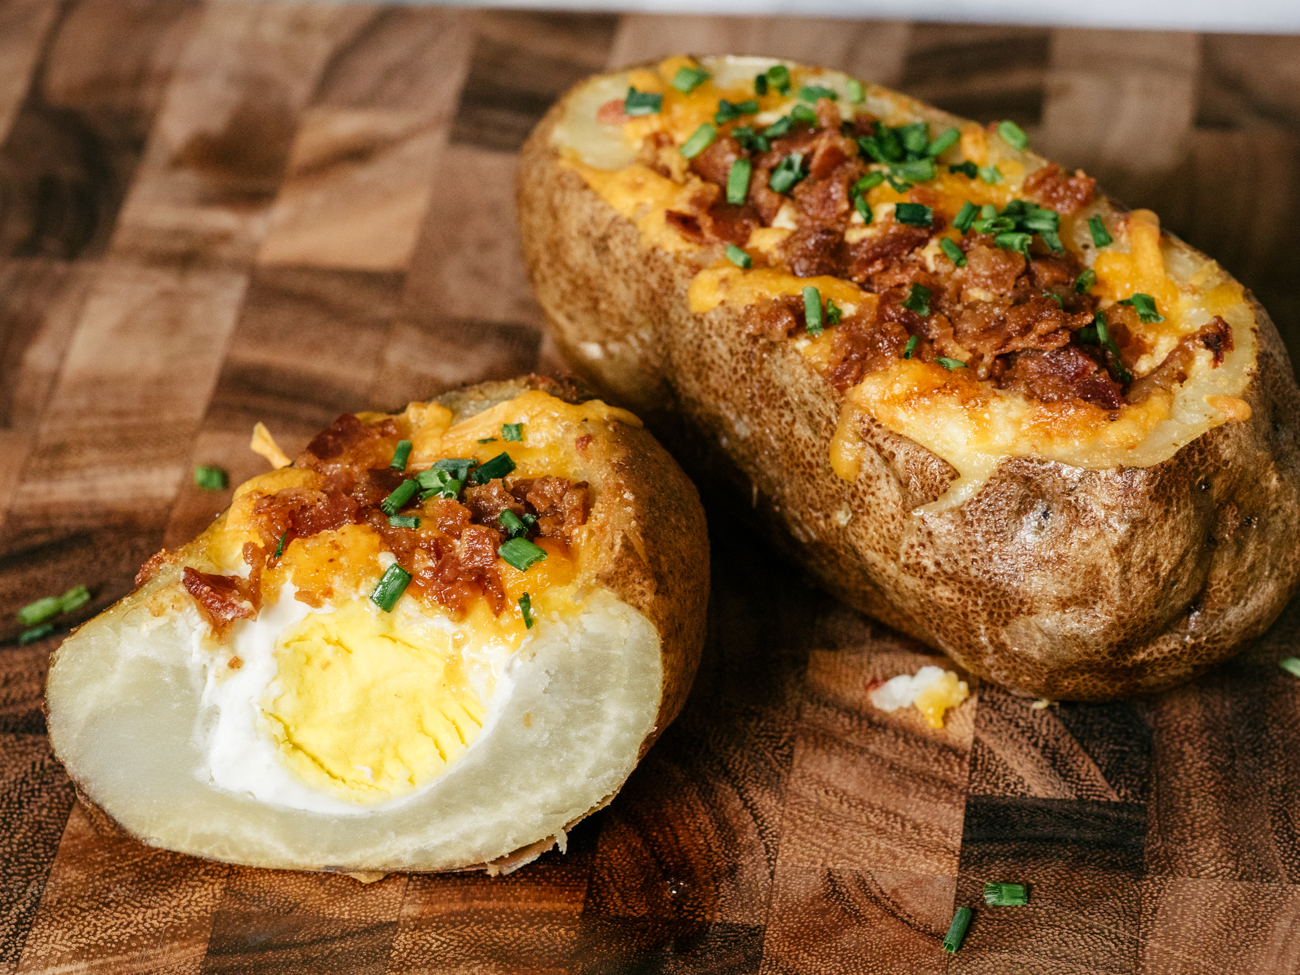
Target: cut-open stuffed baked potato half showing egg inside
[(435, 642)]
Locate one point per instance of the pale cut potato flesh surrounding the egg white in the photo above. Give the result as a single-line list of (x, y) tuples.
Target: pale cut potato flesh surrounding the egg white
[(124, 717)]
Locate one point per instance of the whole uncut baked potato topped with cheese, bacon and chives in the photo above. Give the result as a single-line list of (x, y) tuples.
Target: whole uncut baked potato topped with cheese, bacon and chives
[(977, 400)]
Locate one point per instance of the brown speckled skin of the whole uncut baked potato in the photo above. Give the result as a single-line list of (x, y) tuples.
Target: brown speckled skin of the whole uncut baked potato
[(1055, 582)]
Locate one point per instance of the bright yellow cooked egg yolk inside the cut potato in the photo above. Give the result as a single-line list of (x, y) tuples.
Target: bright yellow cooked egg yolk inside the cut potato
[(369, 709)]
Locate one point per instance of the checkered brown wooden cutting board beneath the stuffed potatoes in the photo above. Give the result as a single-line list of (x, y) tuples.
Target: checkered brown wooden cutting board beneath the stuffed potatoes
[(214, 214)]
